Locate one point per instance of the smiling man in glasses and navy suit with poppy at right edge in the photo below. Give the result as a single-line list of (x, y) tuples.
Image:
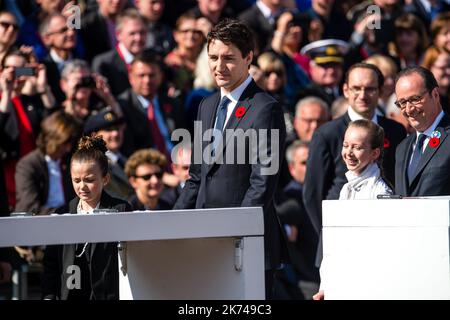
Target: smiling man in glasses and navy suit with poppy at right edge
[(422, 159)]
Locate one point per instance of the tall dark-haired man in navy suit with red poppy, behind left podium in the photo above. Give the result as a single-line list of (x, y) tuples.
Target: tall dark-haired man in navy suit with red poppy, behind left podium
[(217, 182)]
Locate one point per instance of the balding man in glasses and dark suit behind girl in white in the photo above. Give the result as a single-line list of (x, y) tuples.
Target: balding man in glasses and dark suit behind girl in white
[(325, 175)]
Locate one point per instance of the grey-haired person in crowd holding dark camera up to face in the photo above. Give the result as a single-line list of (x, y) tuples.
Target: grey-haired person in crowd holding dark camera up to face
[(78, 84)]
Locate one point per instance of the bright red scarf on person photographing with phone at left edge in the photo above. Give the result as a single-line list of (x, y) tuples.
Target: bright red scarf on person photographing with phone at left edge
[(27, 144)]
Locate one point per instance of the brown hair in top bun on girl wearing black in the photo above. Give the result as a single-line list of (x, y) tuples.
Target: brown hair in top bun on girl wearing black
[(92, 148)]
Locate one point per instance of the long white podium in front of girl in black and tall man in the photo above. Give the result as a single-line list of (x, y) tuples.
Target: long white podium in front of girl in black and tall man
[(190, 254)]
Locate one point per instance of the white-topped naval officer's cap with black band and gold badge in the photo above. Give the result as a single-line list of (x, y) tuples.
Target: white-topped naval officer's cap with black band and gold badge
[(326, 51)]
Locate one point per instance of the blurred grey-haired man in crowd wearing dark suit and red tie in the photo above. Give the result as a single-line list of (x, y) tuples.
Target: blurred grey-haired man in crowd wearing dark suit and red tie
[(150, 116)]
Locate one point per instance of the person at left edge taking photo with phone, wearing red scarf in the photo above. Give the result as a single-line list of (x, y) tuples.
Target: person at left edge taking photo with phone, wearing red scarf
[(20, 114)]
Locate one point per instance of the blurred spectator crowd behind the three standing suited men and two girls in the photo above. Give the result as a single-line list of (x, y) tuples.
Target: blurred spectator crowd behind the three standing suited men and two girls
[(134, 71)]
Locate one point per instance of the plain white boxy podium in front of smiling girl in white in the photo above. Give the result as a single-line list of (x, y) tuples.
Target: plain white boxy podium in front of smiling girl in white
[(386, 249)]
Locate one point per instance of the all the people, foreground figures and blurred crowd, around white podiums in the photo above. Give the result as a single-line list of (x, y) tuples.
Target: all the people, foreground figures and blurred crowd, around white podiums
[(358, 91)]
